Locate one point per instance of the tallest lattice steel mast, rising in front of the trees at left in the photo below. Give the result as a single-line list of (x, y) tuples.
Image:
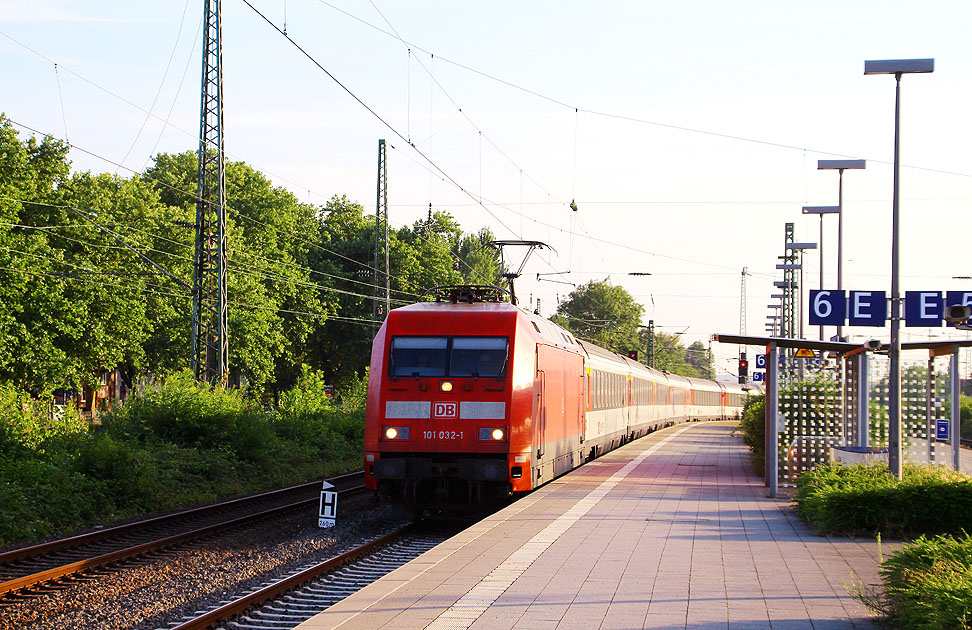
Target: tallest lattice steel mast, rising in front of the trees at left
[(210, 339)]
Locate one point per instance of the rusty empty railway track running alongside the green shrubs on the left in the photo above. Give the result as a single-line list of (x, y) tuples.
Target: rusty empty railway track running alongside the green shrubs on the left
[(39, 568)]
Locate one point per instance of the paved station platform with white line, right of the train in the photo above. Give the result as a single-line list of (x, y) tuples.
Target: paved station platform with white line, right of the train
[(669, 531)]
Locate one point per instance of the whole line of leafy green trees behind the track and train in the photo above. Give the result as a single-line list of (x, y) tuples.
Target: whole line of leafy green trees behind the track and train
[(96, 267)]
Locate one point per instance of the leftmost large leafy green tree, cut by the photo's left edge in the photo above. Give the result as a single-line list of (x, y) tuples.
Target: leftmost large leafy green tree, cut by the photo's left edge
[(72, 298)]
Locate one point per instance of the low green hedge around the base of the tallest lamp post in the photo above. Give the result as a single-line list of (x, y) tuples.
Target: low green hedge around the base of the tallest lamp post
[(866, 500)]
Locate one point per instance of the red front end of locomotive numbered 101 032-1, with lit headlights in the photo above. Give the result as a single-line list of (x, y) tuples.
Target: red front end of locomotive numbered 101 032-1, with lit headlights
[(440, 398)]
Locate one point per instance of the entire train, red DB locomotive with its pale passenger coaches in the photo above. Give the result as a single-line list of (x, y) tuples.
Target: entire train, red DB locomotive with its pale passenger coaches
[(472, 399)]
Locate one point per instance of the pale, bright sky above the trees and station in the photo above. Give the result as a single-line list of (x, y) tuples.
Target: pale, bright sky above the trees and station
[(687, 132)]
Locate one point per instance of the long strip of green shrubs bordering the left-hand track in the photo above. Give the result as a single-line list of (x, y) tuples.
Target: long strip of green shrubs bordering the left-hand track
[(173, 446)]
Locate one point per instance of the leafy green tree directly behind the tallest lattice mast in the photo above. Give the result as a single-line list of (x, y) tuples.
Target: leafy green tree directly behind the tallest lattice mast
[(273, 301)]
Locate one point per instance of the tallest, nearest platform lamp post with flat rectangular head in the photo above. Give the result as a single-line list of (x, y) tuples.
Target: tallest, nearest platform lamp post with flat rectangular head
[(897, 67)]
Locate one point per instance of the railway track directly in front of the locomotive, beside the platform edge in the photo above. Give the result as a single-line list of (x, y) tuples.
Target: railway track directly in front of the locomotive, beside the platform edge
[(312, 589)]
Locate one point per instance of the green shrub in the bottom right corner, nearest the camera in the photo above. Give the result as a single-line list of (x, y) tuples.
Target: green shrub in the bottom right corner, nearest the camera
[(928, 584)]
